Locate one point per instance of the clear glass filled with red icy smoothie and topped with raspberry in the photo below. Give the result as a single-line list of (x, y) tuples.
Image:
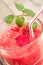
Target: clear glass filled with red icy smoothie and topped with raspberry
[(18, 47)]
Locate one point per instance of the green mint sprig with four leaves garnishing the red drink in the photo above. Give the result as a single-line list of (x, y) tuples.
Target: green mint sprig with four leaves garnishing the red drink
[(19, 19)]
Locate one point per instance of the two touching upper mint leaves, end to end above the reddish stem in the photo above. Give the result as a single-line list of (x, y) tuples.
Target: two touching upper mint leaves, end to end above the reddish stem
[(20, 7)]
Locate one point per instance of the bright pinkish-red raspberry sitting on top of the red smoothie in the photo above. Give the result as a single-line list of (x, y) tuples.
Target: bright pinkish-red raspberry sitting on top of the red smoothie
[(23, 40)]
